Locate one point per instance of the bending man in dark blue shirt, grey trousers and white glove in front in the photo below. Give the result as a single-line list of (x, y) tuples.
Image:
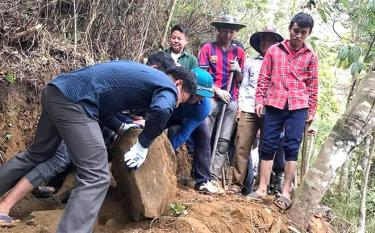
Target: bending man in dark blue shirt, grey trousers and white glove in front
[(73, 105)]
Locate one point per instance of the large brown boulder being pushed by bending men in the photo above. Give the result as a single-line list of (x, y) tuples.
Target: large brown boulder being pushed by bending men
[(147, 191)]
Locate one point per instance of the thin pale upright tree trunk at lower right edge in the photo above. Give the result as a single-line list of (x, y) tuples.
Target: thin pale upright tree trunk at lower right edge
[(362, 208)]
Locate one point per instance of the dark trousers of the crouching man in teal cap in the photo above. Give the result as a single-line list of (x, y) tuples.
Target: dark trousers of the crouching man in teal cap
[(200, 139)]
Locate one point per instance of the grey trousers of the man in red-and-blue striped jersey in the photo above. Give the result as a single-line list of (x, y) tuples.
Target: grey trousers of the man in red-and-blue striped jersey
[(224, 134)]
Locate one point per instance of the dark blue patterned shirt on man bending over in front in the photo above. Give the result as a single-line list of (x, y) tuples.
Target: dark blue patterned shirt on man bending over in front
[(107, 88)]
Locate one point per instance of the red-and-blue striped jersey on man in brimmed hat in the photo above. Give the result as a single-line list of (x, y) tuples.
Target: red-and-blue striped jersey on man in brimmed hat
[(217, 60)]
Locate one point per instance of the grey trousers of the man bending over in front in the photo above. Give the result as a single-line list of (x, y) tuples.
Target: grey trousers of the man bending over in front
[(59, 120)]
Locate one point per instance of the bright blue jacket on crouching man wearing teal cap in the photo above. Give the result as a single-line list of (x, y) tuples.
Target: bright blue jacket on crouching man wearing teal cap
[(188, 117)]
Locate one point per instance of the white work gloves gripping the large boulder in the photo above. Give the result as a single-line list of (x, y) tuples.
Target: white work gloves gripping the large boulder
[(137, 153)]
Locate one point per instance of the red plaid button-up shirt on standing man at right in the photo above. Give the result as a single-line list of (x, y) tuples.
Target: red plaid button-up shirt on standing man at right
[(288, 77)]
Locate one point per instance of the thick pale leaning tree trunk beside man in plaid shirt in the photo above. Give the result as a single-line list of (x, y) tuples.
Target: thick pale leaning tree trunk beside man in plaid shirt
[(357, 122)]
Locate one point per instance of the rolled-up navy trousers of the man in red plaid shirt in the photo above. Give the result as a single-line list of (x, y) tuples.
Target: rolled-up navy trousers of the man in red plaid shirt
[(274, 122)]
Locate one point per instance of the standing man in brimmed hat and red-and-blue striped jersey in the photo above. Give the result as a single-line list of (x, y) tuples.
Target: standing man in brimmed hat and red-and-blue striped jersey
[(221, 58)]
